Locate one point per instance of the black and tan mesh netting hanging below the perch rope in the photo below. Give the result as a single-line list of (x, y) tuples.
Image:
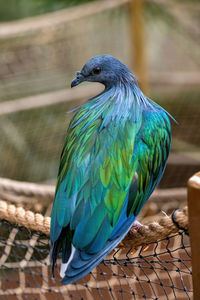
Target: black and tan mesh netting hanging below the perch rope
[(160, 270)]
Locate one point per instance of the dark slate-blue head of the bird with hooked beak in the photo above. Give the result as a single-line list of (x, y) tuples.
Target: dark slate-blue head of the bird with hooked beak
[(105, 69)]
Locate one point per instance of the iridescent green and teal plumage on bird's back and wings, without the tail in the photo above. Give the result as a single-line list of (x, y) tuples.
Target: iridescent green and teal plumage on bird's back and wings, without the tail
[(99, 164)]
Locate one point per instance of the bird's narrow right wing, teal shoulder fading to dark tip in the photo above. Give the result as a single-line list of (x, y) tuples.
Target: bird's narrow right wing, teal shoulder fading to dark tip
[(153, 143)]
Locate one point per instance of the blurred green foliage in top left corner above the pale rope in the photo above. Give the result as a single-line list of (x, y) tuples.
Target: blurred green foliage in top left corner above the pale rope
[(17, 9)]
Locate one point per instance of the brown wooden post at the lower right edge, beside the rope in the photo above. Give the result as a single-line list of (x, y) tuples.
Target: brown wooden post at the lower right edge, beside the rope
[(194, 229)]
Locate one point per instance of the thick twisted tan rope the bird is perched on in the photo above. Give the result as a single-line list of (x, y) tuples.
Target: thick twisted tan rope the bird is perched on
[(136, 237)]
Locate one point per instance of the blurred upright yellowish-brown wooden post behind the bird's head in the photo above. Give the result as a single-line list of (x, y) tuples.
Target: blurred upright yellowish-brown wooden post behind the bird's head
[(139, 61)]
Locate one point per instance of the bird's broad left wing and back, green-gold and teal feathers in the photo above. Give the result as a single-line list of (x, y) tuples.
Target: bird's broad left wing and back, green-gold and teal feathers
[(95, 172)]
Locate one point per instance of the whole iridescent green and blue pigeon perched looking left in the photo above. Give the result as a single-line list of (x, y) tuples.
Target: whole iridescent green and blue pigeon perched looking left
[(115, 153)]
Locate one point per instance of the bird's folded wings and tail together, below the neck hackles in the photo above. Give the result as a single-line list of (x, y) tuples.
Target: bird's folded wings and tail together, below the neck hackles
[(104, 179)]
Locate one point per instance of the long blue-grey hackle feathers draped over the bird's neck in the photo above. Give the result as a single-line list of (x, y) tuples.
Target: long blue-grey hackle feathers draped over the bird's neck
[(115, 105)]
